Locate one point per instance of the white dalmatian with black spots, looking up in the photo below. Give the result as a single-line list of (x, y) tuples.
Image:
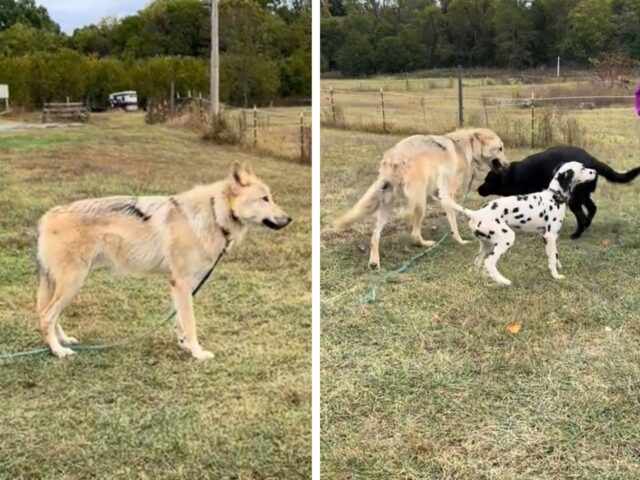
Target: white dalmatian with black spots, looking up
[(541, 213)]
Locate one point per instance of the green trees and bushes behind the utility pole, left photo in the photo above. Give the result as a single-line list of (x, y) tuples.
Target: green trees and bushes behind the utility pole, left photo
[(265, 50)]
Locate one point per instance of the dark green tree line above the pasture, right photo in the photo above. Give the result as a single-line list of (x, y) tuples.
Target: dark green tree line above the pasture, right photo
[(363, 37)]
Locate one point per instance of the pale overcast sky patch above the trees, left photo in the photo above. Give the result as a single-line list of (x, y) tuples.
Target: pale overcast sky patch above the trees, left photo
[(71, 14)]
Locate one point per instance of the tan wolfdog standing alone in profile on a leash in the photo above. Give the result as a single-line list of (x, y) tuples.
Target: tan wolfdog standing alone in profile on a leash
[(180, 236)]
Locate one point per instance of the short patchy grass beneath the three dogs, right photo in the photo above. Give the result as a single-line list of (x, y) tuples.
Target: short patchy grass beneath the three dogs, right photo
[(447, 376)]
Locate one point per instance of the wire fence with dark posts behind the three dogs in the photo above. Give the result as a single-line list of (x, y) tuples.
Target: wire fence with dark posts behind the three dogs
[(521, 120)]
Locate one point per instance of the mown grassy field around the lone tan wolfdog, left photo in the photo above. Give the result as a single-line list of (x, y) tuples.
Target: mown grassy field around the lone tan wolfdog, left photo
[(147, 411)]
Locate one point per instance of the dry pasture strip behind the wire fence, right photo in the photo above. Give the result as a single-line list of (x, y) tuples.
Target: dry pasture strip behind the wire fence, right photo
[(431, 106)]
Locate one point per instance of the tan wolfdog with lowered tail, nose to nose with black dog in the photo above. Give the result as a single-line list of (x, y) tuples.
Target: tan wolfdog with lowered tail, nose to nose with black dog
[(411, 171)]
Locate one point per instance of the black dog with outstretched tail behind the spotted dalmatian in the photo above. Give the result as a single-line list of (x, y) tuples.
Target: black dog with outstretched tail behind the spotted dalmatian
[(534, 173)]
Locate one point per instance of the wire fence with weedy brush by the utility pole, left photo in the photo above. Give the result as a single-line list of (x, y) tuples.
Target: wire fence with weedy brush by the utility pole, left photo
[(280, 132)]
